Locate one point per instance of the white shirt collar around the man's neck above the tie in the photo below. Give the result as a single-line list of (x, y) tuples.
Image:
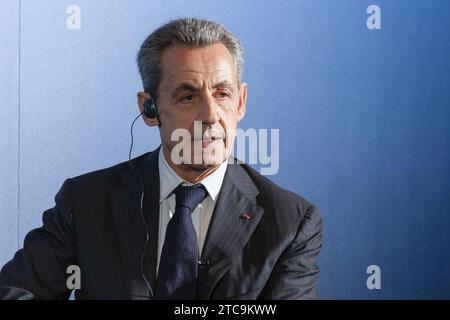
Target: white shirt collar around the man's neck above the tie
[(169, 180)]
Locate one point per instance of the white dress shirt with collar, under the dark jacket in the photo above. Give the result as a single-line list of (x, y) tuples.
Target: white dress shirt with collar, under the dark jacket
[(201, 216)]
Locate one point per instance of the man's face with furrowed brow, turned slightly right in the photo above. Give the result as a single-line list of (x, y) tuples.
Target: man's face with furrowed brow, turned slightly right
[(201, 85)]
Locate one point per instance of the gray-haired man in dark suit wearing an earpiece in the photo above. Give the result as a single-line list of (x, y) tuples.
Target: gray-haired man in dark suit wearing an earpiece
[(166, 226)]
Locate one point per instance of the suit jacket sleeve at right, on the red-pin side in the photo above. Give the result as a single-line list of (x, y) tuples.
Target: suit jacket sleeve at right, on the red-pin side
[(296, 272)]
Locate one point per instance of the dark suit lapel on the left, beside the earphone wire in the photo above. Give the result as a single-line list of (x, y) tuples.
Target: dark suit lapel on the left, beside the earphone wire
[(129, 227)]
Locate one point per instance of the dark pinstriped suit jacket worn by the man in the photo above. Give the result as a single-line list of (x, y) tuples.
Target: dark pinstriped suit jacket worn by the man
[(96, 224)]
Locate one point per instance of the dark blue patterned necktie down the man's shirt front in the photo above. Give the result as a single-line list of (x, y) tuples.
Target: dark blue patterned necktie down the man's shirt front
[(178, 266)]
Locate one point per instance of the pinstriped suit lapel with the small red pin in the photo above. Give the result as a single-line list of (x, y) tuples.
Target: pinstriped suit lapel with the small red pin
[(235, 216)]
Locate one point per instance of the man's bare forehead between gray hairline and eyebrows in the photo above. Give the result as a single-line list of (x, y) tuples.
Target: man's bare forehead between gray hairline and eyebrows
[(197, 64)]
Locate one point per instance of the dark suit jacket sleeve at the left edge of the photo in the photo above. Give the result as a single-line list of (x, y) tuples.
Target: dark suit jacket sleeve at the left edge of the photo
[(38, 271)]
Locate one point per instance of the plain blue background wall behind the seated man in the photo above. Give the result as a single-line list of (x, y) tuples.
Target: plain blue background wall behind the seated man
[(363, 118)]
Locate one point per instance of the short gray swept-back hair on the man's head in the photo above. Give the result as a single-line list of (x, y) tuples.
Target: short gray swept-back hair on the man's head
[(190, 32)]
